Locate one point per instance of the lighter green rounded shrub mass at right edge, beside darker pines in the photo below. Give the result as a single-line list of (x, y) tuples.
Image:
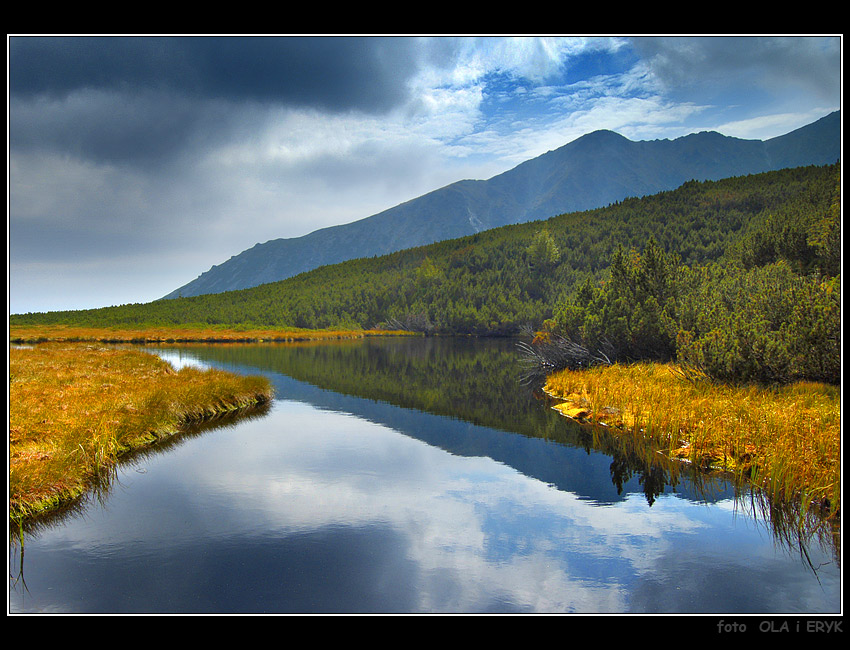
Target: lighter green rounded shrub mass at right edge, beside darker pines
[(765, 324)]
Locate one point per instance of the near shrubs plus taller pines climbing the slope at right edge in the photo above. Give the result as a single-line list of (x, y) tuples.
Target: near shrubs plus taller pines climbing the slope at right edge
[(768, 311)]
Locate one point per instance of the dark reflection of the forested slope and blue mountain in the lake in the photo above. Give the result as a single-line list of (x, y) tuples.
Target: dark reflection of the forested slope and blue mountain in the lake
[(473, 388)]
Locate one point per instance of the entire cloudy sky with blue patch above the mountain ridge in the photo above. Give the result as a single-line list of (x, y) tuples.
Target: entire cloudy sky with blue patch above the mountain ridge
[(136, 163)]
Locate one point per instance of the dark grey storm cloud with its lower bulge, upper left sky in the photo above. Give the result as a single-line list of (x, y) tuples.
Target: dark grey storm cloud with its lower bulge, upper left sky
[(146, 100)]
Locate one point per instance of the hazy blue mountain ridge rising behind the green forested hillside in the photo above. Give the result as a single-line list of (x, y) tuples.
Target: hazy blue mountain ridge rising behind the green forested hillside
[(595, 170)]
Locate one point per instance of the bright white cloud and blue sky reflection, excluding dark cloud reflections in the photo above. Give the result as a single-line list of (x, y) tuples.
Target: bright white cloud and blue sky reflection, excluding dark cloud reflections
[(480, 534)]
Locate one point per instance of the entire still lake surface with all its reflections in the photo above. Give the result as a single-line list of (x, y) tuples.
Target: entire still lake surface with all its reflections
[(411, 475)]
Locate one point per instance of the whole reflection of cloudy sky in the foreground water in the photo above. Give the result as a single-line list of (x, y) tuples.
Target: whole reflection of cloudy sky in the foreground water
[(313, 510)]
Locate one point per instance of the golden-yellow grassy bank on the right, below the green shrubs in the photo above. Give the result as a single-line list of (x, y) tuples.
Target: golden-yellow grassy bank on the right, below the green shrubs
[(786, 439)]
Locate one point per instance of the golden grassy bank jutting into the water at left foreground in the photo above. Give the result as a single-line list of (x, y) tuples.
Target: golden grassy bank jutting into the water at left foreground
[(76, 408)]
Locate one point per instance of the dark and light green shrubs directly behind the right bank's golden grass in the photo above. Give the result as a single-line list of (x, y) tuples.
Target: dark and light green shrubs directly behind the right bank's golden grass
[(766, 324)]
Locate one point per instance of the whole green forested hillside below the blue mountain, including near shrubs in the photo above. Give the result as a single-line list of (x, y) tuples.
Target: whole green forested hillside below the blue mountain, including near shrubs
[(740, 277)]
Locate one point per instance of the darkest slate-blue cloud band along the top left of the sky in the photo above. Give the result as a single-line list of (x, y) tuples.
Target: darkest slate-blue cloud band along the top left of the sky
[(333, 74)]
